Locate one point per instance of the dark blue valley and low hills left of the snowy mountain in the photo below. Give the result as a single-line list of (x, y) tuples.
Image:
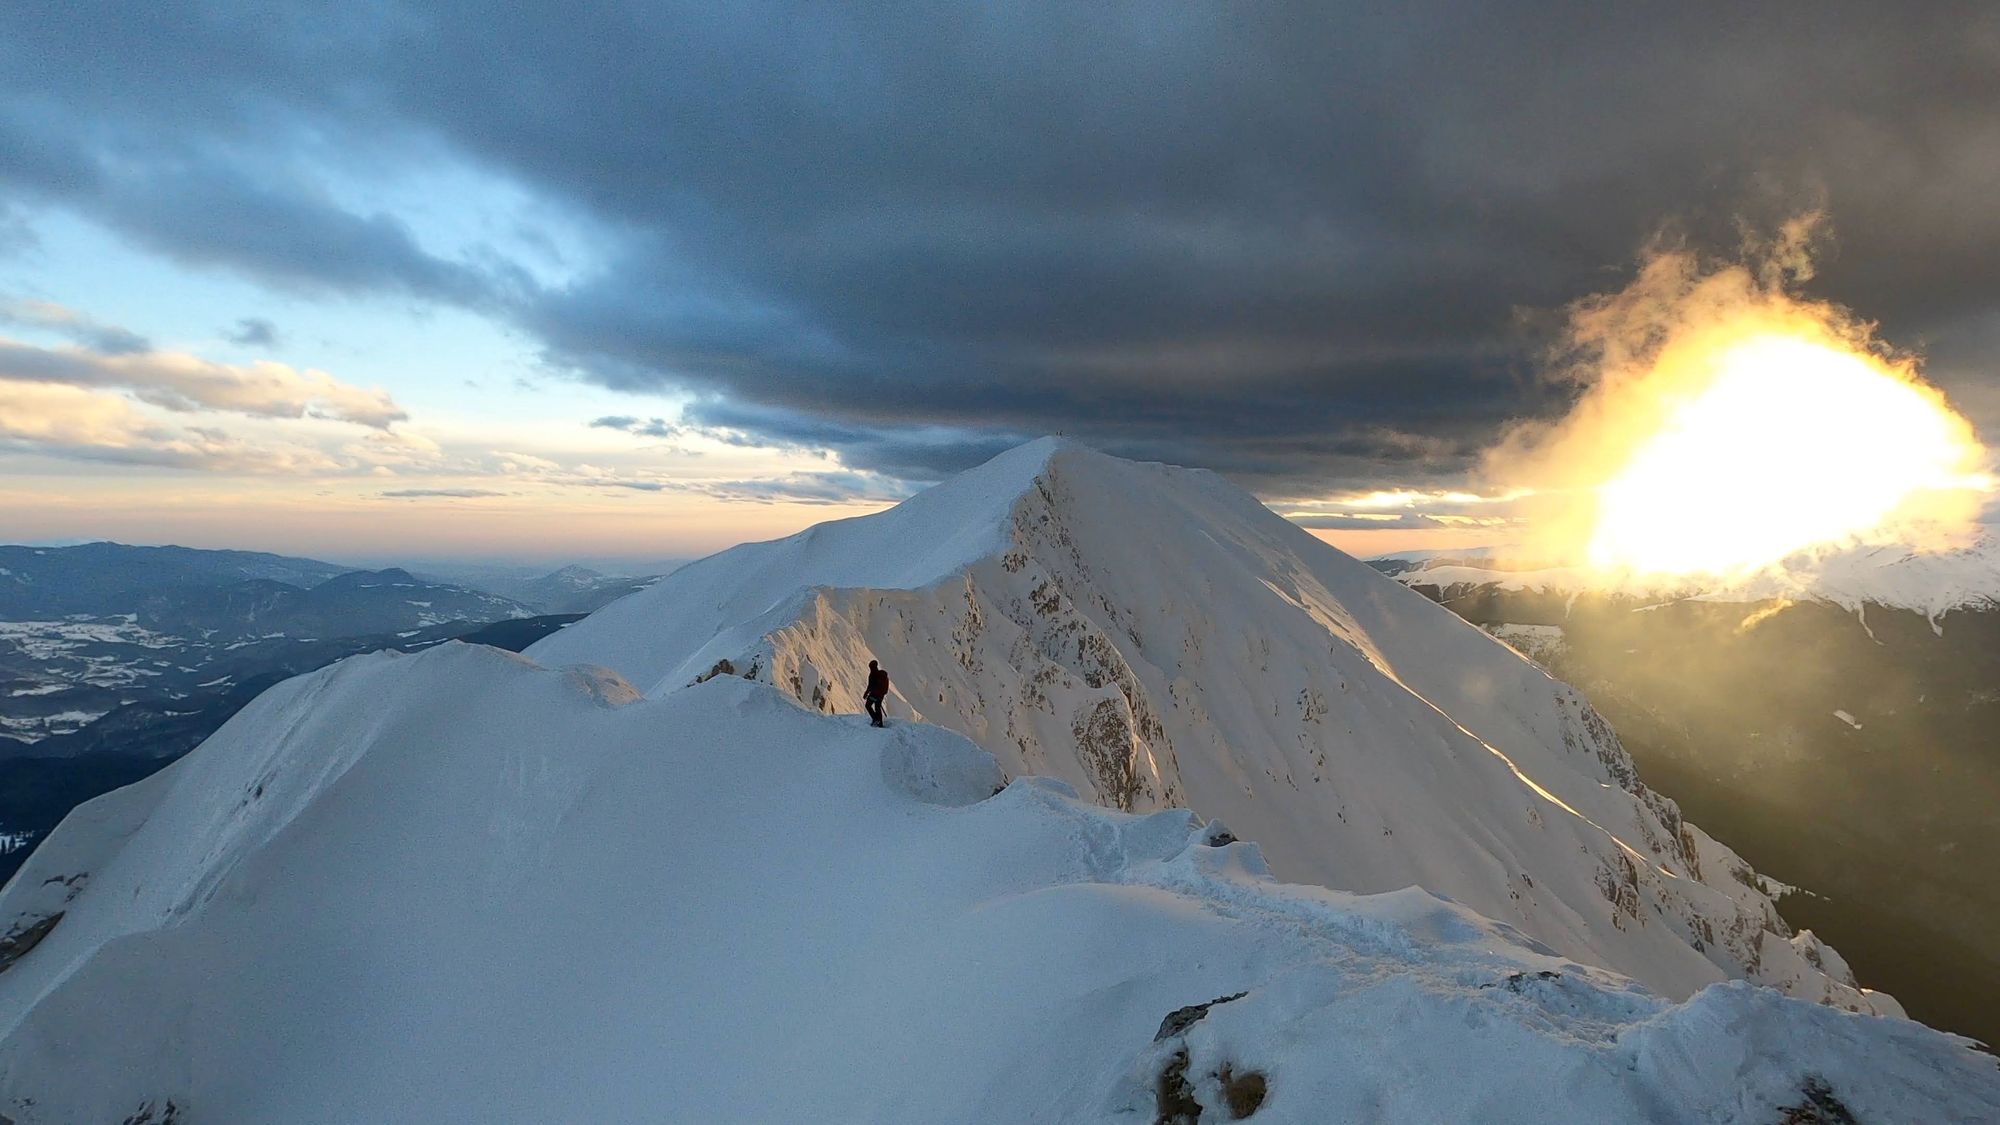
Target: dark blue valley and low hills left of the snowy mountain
[(119, 660)]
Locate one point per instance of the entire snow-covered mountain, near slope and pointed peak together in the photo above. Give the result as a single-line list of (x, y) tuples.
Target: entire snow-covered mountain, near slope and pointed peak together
[(479, 888)]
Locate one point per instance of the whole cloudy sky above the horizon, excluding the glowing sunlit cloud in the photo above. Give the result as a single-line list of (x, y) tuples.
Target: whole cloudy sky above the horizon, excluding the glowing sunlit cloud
[(383, 279)]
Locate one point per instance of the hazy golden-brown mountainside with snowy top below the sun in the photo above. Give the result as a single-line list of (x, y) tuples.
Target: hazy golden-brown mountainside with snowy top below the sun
[(1845, 736)]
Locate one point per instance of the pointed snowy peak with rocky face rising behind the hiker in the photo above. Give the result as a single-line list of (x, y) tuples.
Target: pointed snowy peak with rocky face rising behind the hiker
[(1159, 640)]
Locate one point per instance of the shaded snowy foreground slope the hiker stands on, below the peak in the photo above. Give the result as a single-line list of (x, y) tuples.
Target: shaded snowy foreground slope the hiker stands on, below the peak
[(463, 888)]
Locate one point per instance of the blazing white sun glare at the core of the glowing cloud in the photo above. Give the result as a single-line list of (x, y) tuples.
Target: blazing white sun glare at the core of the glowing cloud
[(1777, 443)]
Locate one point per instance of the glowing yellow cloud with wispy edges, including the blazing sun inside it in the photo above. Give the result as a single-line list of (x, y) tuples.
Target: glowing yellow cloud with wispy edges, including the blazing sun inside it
[(1727, 425)]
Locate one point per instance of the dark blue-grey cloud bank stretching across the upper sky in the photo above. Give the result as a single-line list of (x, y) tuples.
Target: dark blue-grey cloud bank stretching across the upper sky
[(1291, 243)]
